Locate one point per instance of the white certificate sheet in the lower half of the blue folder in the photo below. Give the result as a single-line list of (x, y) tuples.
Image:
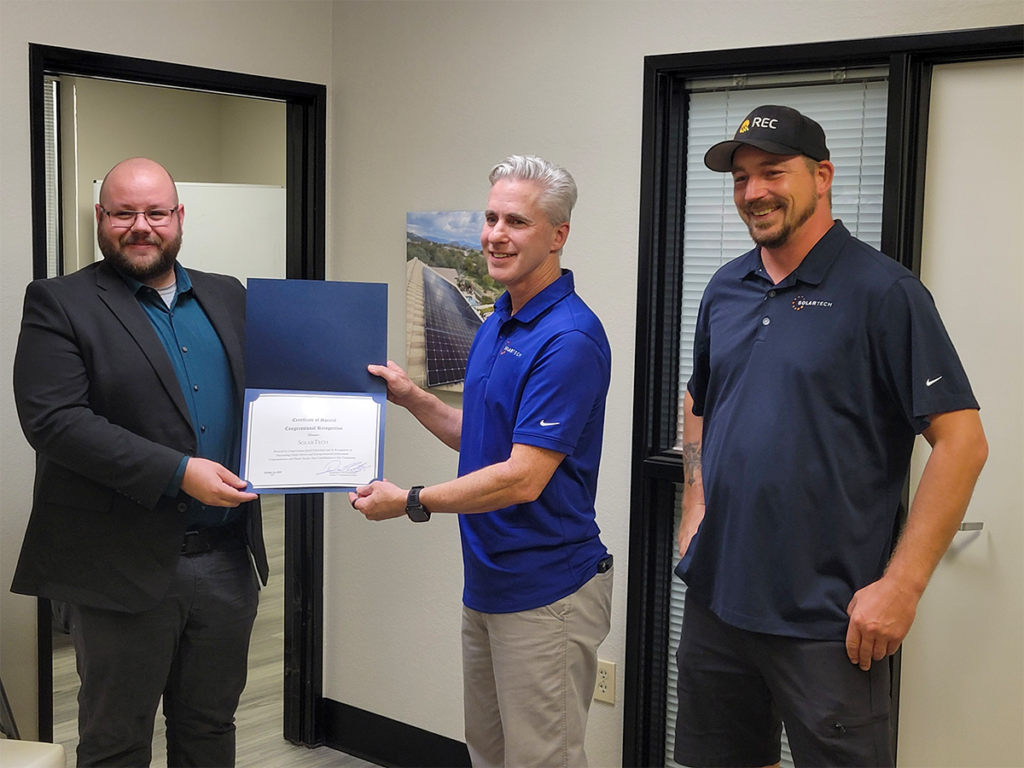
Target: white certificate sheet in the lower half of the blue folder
[(301, 442)]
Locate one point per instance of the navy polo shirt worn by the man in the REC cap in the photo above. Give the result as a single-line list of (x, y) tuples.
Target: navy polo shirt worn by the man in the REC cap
[(812, 392)]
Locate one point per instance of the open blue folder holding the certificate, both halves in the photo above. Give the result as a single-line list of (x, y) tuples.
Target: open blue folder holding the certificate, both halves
[(313, 418)]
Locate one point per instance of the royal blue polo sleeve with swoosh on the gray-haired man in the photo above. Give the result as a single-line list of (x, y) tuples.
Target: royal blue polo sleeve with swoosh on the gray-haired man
[(568, 386)]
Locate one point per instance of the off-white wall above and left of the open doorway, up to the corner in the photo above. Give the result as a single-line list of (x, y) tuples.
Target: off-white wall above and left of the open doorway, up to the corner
[(262, 37)]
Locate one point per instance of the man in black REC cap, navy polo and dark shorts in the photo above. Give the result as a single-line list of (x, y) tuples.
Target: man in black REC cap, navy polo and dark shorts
[(817, 362)]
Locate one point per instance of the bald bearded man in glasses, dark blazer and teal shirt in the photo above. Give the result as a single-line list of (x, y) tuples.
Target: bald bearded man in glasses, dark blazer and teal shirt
[(129, 381)]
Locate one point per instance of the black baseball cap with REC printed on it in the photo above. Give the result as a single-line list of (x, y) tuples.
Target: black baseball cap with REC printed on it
[(781, 131)]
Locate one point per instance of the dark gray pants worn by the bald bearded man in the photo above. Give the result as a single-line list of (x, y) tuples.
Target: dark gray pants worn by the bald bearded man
[(192, 650)]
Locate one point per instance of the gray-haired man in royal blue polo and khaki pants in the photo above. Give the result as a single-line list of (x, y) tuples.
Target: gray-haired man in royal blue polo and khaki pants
[(538, 580)]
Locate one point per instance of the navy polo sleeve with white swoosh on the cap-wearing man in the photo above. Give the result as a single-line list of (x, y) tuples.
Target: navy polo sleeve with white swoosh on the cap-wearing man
[(919, 360)]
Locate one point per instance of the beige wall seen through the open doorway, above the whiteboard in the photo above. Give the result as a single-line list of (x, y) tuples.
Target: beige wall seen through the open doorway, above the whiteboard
[(197, 137)]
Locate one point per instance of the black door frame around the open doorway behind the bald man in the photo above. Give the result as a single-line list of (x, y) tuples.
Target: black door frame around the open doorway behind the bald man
[(306, 260)]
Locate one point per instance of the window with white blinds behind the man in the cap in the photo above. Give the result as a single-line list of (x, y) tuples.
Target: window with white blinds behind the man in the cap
[(851, 109)]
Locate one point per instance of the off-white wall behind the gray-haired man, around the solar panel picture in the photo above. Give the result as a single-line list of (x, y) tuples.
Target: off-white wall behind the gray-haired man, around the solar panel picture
[(430, 97)]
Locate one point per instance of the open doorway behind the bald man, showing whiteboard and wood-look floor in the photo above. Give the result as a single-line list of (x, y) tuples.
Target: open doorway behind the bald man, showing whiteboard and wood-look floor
[(228, 155)]
